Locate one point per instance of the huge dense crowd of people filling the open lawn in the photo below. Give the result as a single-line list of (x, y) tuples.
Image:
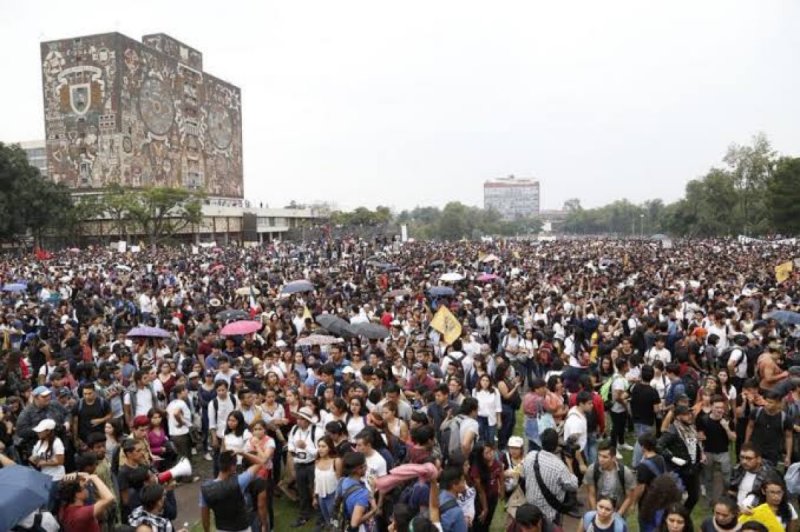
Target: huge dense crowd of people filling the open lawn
[(593, 384)]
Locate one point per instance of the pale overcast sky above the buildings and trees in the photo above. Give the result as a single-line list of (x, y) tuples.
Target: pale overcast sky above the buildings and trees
[(419, 102)]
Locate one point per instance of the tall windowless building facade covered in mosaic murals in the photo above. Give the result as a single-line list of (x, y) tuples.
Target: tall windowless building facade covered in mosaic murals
[(139, 114)]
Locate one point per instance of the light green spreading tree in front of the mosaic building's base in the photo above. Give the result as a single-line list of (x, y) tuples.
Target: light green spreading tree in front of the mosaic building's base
[(162, 212)]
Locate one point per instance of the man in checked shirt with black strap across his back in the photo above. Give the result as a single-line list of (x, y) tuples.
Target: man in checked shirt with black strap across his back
[(549, 481)]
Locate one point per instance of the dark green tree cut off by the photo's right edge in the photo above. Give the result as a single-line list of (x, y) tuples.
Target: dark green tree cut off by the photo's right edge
[(783, 196)]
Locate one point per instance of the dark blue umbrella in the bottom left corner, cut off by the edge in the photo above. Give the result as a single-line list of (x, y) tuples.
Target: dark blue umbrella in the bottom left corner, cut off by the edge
[(22, 490)]
